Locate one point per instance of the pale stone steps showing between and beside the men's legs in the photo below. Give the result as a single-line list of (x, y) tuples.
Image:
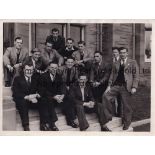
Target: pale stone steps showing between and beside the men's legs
[(115, 125)]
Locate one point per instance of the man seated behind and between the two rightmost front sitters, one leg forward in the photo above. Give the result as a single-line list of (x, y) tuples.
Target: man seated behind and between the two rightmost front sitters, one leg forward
[(69, 75)]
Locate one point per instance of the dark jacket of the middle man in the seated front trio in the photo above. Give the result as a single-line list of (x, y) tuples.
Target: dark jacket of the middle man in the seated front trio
[(48, 88)]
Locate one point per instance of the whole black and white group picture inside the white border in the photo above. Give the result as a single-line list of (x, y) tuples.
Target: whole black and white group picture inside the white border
[(76, 76)]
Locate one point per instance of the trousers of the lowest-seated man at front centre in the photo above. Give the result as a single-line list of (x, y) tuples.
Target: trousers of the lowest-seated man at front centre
[(98, 109)]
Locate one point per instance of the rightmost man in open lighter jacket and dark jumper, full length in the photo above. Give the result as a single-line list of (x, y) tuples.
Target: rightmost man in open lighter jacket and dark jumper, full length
[(124, 82)]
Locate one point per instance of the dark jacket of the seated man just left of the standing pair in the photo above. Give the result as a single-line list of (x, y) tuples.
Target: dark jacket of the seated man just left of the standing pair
[(100, 73)]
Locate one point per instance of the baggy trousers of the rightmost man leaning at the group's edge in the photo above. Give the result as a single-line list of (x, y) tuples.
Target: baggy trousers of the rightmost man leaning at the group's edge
[(126, 99)]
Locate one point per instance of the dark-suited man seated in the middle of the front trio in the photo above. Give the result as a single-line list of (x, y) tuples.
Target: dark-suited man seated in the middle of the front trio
[(51, 92)]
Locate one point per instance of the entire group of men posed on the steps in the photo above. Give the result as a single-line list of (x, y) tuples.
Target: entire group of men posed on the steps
[(73, 79)]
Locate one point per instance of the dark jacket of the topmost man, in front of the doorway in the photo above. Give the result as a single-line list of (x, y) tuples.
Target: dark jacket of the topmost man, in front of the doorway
[(58, 45)]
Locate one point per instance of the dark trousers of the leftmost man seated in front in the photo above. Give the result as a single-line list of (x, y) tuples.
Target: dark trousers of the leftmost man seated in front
[(23, 107)]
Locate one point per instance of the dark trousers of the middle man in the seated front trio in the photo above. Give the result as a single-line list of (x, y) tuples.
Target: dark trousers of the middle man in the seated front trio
[(47, 111)]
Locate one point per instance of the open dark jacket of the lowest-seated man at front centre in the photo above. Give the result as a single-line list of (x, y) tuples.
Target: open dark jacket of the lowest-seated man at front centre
[(76, 95)]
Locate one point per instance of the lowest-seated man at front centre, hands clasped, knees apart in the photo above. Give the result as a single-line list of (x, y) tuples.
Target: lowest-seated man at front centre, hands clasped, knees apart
[(81, 96)]
